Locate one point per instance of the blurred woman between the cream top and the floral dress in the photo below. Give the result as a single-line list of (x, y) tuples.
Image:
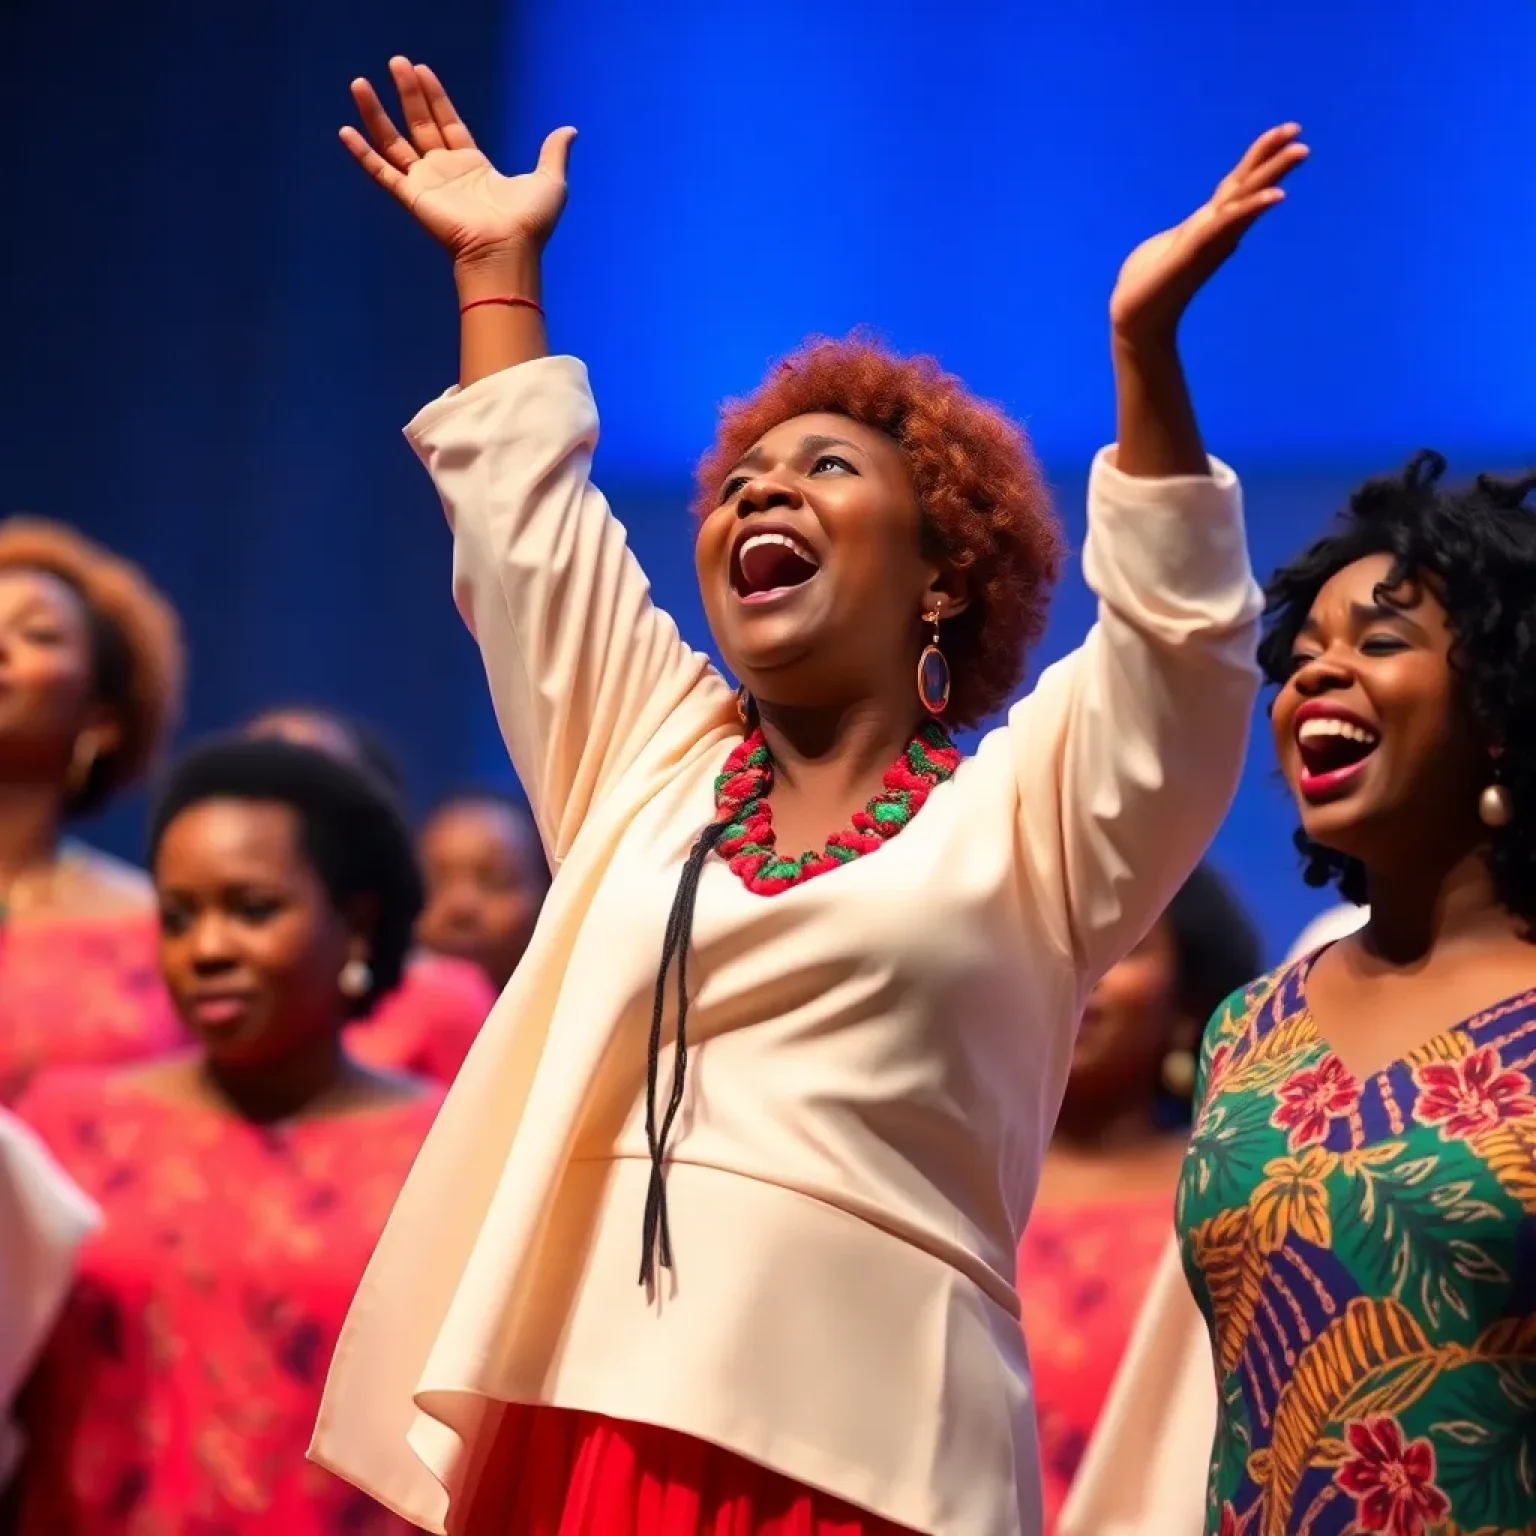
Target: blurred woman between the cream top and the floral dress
[(1107, 1193)]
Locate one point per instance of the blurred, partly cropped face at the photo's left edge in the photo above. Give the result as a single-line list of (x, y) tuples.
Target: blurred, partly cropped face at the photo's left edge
[(47, 674)]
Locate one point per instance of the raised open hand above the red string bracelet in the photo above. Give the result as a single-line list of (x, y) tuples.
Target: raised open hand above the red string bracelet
[(446, 182)]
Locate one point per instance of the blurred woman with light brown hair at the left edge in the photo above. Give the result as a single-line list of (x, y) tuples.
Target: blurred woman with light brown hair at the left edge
[(91, 675)]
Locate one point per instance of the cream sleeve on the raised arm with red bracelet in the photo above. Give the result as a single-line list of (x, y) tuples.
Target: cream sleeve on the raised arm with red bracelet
[(583, 667)]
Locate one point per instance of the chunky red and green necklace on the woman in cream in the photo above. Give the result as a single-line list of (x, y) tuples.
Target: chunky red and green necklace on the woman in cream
[(741, 803)]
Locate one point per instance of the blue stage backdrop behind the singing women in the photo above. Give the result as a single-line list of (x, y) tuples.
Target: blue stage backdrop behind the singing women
[(214, 328)]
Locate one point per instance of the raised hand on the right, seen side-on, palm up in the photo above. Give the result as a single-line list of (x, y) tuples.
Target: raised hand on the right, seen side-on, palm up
[(1164, 274)]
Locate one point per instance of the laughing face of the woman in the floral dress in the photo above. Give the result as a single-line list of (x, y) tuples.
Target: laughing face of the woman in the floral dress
[(1368, 729)]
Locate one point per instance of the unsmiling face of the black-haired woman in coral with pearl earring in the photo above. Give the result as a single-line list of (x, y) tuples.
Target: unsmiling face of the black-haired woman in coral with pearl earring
[(251, 945)]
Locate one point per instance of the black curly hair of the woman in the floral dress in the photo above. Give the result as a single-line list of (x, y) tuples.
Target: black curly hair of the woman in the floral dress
[(1475, 548)]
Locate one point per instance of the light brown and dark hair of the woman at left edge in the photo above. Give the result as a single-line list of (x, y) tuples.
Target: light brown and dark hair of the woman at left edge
[(136, 640)]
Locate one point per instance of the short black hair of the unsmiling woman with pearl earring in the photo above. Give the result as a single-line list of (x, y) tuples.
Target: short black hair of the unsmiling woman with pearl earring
[(353, 833)]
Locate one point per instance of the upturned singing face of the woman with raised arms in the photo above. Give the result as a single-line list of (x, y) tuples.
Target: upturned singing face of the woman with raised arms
[(813, 566)]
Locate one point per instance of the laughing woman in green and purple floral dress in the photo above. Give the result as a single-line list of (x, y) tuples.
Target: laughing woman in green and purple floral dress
[(1359, 1203)]
